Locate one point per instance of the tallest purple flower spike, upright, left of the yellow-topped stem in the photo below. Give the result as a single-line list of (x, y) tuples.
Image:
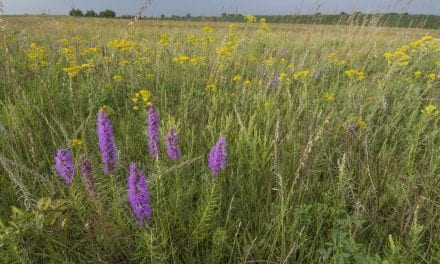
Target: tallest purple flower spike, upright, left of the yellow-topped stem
[(106, 142)]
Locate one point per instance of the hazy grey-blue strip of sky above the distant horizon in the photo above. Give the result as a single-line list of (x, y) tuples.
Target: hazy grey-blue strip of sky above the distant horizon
[(216, 7)]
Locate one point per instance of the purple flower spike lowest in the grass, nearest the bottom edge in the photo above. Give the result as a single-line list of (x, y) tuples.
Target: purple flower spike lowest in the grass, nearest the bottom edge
[(138, 194)]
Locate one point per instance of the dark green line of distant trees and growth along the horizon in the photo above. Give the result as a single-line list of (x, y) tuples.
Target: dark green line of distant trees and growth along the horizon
[(355, 18)]
